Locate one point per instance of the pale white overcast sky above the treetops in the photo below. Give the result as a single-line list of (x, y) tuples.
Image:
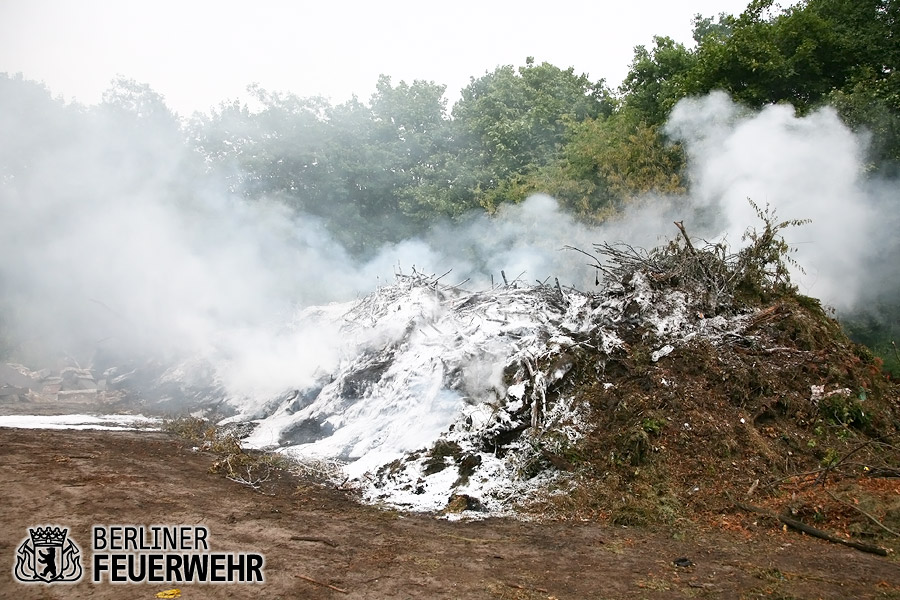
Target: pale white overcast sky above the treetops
[(198, 53)]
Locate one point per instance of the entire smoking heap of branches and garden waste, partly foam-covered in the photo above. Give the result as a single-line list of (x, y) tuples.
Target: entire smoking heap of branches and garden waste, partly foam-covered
[(688, 377)]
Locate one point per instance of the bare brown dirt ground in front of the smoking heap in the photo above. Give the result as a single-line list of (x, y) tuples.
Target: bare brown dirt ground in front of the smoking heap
[(314, 537)]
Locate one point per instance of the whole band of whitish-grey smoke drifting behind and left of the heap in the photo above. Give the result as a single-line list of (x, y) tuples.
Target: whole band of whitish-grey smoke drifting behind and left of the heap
[(113, 239)]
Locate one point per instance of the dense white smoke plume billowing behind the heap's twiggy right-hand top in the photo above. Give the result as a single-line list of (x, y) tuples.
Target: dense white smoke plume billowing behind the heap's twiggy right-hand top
[(808, 167)]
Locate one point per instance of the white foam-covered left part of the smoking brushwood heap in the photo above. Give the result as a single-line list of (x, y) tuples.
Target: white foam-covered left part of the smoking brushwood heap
[(469, 400)]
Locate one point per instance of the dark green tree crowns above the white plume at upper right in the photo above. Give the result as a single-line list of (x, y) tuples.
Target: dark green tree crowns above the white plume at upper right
[(809, 54)]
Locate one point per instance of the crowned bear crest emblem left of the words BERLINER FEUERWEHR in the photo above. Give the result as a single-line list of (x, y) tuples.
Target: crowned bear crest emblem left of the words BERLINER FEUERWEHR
[(48, 556)]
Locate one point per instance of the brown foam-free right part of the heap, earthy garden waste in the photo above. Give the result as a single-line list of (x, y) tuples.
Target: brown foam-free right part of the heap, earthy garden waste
[(789, 415)]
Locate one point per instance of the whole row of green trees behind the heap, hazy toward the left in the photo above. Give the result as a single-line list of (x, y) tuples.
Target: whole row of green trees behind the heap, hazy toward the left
[(395, 164)]
